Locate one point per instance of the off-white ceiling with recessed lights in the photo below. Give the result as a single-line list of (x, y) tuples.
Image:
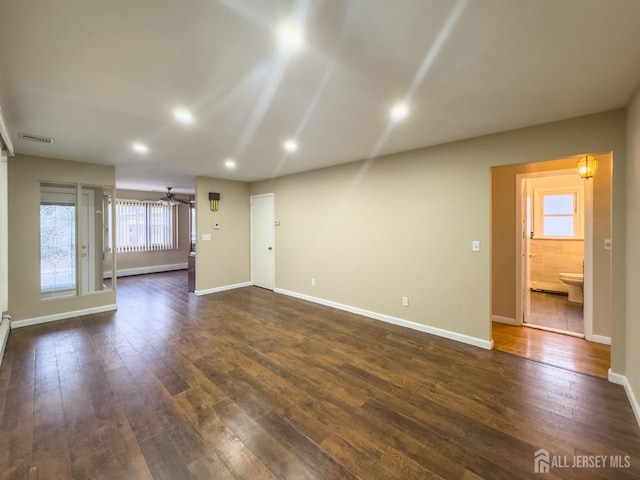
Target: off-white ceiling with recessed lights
[(97, 75)]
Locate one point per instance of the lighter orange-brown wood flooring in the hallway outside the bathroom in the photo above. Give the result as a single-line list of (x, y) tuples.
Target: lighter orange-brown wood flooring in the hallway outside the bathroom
[(565, 351)]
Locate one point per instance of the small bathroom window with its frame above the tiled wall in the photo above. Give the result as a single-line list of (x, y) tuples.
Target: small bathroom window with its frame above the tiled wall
[(557, 213)]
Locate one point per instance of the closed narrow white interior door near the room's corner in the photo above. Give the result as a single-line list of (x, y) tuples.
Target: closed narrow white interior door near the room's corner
[(263, 241)]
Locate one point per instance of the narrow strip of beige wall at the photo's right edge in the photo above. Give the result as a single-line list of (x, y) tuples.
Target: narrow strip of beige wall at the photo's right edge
[(632, 366)]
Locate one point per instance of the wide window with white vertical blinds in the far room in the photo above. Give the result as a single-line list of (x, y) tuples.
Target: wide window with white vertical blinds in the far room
[(144, 226)]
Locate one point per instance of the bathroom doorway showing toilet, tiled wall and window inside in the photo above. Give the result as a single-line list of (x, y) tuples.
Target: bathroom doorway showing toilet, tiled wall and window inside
[(553, 227)]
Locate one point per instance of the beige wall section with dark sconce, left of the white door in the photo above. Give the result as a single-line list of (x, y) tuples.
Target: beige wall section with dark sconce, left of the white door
[(225, 259)]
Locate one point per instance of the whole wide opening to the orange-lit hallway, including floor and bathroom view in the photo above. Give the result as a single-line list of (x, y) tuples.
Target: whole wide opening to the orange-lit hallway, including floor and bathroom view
[(538, 232)]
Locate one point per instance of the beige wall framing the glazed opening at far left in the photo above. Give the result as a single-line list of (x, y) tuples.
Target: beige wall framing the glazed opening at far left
[(25, 174)]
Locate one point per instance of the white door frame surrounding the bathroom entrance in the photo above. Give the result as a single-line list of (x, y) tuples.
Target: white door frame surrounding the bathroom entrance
[(522, 267)]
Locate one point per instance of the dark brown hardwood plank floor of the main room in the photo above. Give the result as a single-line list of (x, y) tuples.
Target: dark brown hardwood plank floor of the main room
[(248, 384)]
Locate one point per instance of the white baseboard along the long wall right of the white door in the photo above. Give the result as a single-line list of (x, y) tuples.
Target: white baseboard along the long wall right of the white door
[(459, 337)]
